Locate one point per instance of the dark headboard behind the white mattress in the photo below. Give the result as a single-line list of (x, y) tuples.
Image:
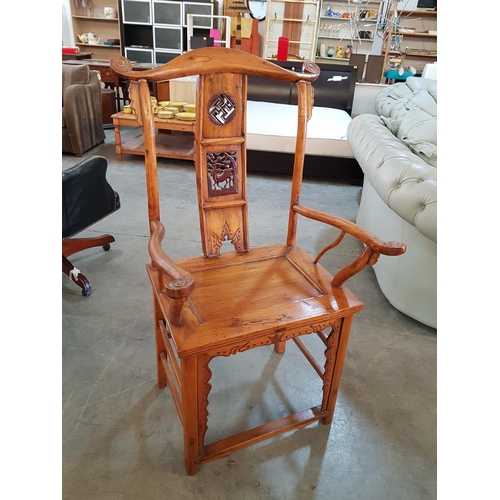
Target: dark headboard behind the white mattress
[(334, 87)]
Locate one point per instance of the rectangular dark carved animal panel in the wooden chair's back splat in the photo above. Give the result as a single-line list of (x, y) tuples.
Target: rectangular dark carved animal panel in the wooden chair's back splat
[(222, 173)]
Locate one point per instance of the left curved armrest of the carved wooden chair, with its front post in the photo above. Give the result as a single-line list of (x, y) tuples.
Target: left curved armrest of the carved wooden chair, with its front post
[(174, 281)]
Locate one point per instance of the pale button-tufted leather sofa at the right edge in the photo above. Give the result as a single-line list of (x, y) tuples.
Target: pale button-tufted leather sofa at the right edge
[(397, 151)]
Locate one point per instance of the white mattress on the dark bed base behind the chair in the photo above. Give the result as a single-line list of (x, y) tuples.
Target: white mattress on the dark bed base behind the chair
[(273, 127)]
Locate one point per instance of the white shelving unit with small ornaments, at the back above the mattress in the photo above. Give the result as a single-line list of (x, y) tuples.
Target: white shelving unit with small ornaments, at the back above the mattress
[(345, 27)]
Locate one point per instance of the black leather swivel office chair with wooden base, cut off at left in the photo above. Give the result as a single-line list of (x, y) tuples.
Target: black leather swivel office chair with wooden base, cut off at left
[(87, 198)]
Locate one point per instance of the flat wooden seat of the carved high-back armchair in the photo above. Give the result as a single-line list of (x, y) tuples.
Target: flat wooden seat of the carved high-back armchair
[(290, 294)]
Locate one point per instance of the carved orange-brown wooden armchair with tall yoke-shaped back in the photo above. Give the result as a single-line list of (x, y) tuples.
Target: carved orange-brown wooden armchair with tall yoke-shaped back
[(224, 303)]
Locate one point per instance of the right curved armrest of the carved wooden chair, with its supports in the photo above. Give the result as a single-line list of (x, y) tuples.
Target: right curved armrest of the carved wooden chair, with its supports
[(370, 254)]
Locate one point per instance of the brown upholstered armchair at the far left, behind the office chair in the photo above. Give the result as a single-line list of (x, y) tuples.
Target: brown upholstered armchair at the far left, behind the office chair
[(81, 109)]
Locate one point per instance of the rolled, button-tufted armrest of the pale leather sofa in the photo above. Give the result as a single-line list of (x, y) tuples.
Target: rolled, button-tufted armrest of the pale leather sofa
[(406, 183)]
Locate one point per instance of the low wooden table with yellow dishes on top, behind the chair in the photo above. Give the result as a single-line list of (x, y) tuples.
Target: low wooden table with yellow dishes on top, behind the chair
[(178, 146)]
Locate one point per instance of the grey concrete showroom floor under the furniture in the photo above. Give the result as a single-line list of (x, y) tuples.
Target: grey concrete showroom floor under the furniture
[(121, 437)]
